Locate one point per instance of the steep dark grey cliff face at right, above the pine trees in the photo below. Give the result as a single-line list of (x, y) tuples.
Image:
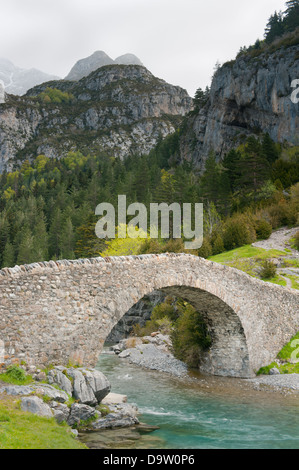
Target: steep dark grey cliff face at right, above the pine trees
[(248, 96)]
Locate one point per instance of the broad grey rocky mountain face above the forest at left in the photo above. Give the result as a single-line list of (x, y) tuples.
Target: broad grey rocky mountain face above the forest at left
[(118, 109)]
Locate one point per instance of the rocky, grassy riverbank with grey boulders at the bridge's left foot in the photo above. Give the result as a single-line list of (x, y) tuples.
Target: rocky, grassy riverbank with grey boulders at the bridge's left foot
[(66, 401)]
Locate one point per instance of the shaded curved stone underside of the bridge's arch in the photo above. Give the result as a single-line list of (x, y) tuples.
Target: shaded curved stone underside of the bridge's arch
[(228, 355)]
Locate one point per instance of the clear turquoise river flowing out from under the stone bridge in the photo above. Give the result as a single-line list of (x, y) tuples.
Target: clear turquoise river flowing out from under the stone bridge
[(201, 413)]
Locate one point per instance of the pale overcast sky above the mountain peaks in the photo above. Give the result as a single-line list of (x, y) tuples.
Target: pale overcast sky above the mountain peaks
[(179, 41)]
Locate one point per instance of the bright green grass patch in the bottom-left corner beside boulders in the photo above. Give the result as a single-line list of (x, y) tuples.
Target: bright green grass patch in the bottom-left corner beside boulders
[(23, 430)]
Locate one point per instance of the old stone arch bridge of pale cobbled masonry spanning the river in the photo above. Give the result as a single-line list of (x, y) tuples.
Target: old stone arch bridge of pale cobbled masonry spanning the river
[(56, 312)]
